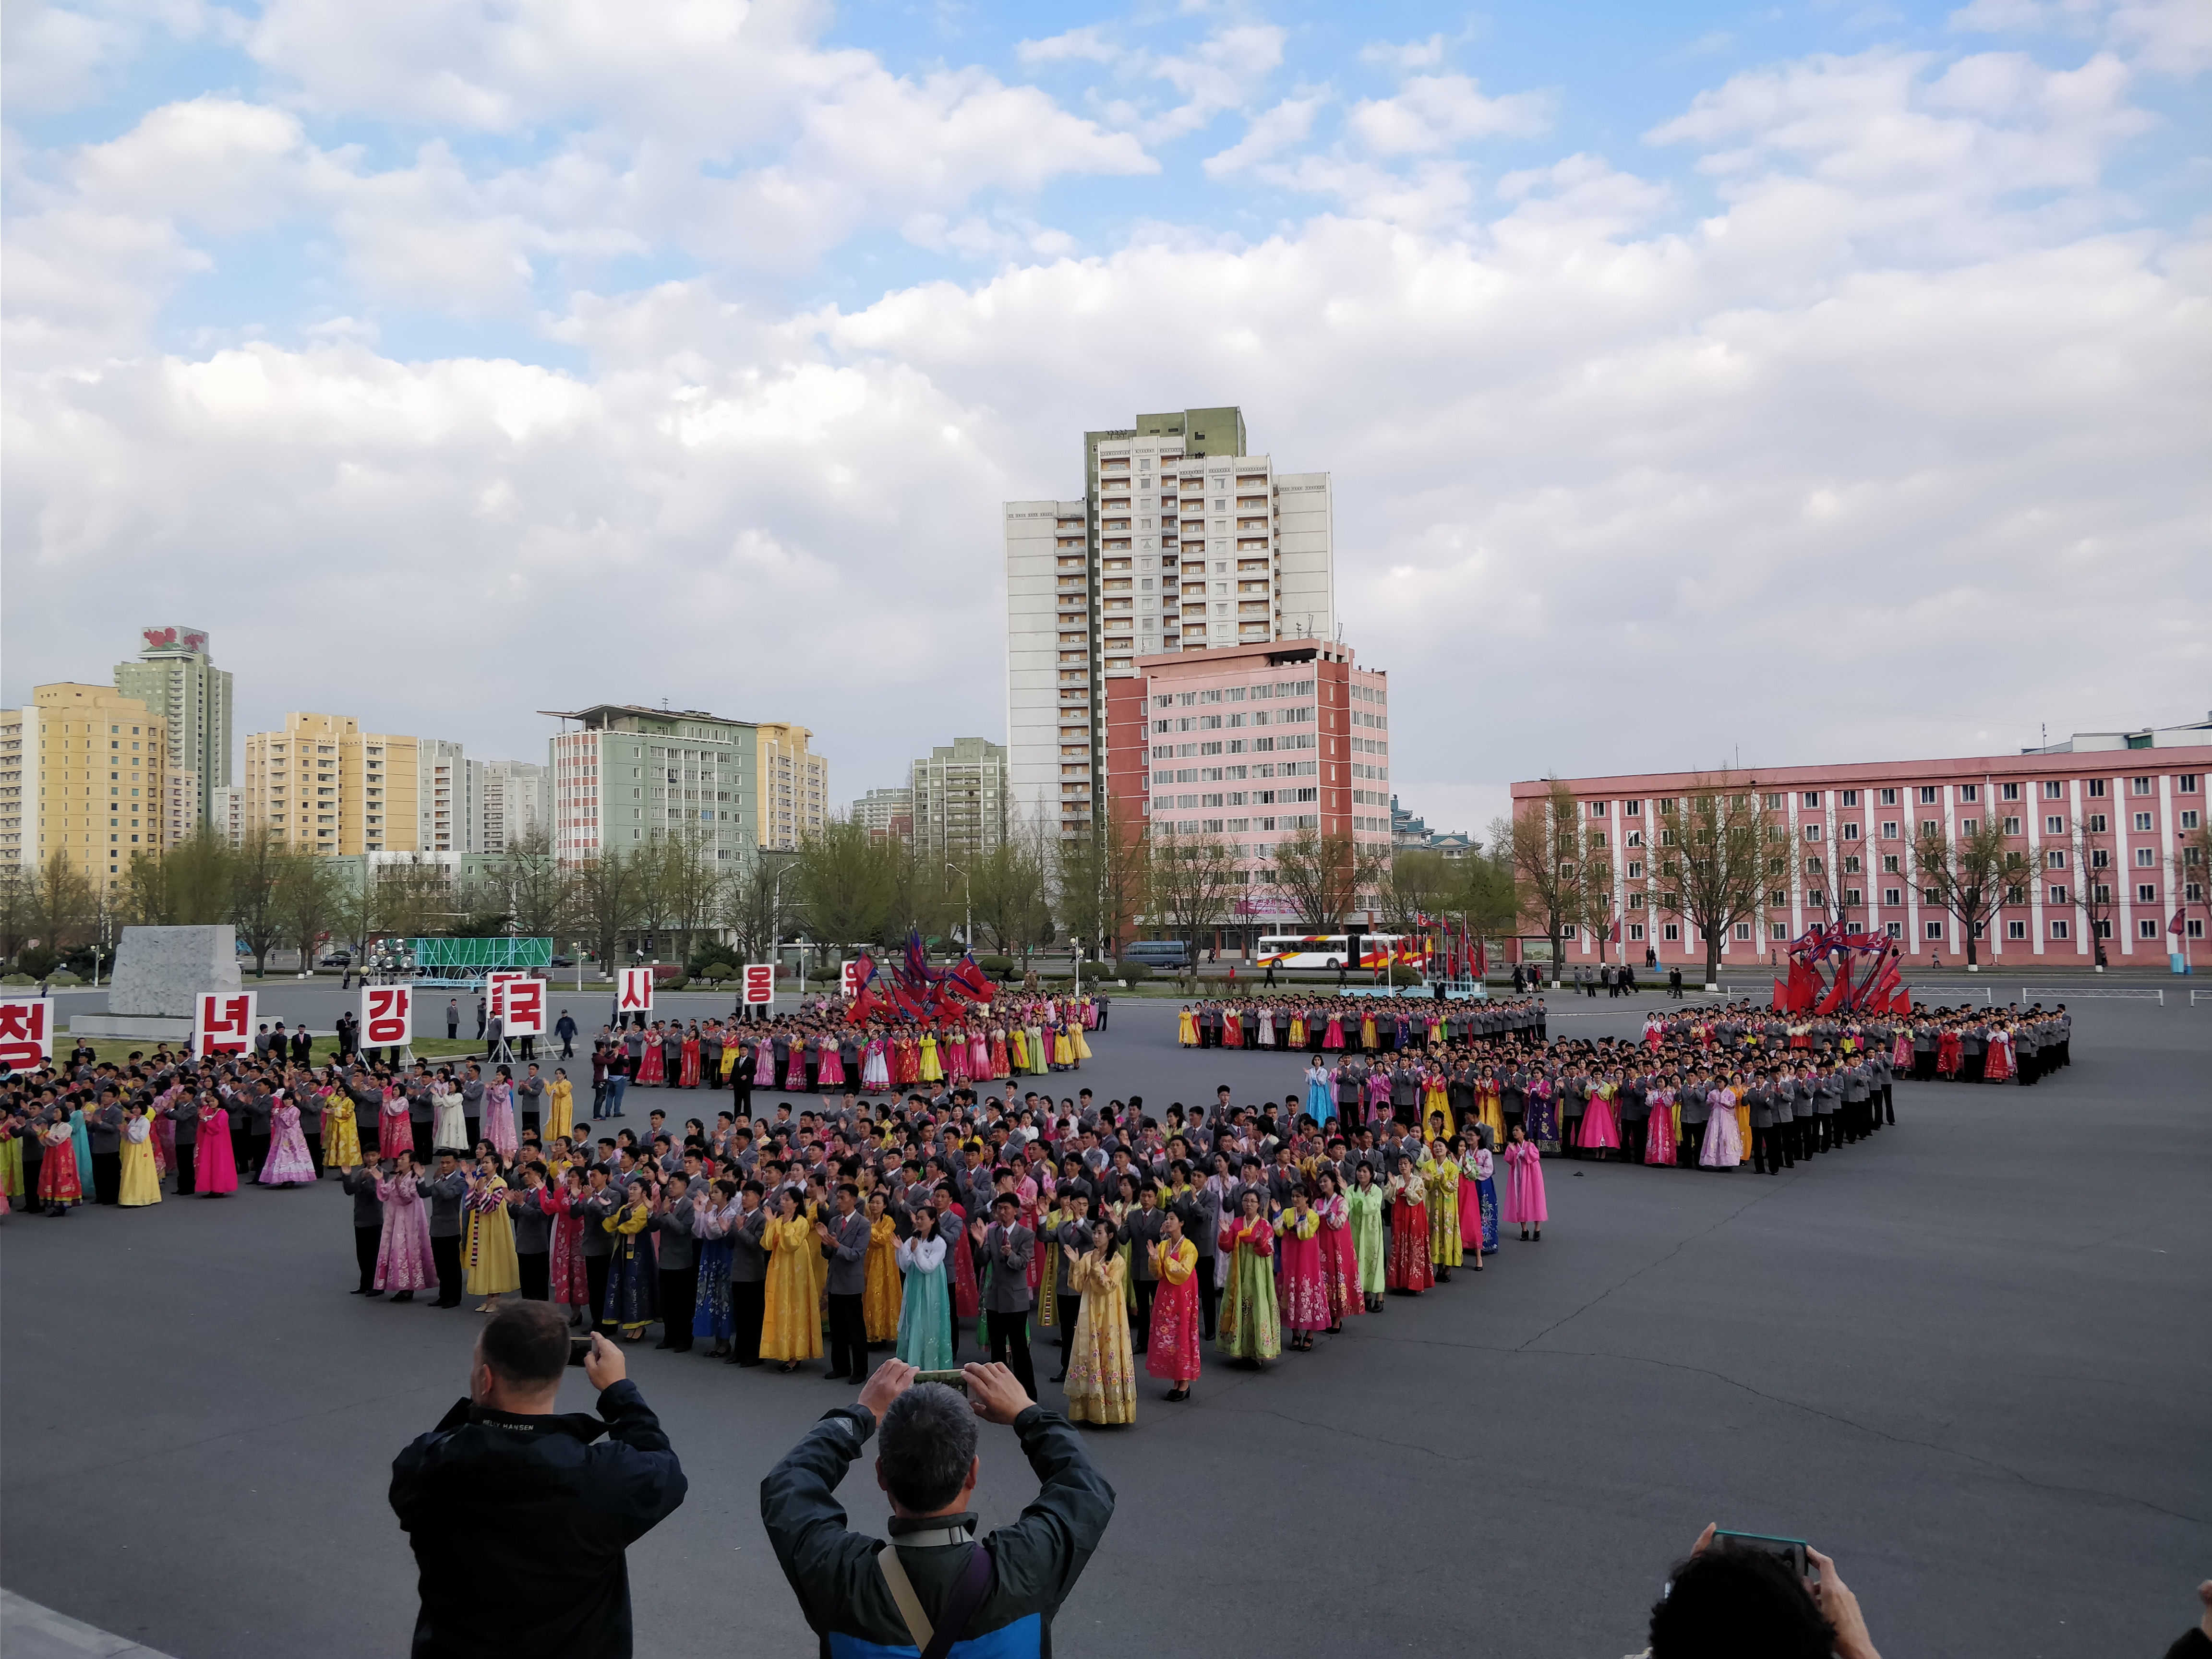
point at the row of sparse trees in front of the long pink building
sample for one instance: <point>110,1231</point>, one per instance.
<point>1715,859</point>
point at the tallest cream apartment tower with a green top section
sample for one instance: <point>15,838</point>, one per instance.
<point>1180,543</point>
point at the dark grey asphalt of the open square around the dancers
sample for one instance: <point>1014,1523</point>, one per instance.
<point>1970,1359</point>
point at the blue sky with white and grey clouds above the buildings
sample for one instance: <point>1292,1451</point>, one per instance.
<point>1700,384</point>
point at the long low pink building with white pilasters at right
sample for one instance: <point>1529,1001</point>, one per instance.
<point>2127,804</point>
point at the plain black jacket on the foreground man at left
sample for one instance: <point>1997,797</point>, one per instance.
<point>521,1527</point>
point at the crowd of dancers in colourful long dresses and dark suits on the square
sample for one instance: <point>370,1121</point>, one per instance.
<point>932,1215</point>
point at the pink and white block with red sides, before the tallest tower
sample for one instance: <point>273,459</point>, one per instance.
<point>1251,744</point>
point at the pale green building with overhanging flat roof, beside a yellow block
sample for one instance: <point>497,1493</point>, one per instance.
<point>629,775</point>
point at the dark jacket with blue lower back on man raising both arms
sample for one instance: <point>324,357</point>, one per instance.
<point>835,1572</point>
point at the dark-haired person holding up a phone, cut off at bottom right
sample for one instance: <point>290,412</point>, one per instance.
<point>1746,1598</point>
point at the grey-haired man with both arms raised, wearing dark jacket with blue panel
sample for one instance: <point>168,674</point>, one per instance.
<point>935,1585</point>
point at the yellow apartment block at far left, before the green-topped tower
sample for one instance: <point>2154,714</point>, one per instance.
<point>98,764</point>
